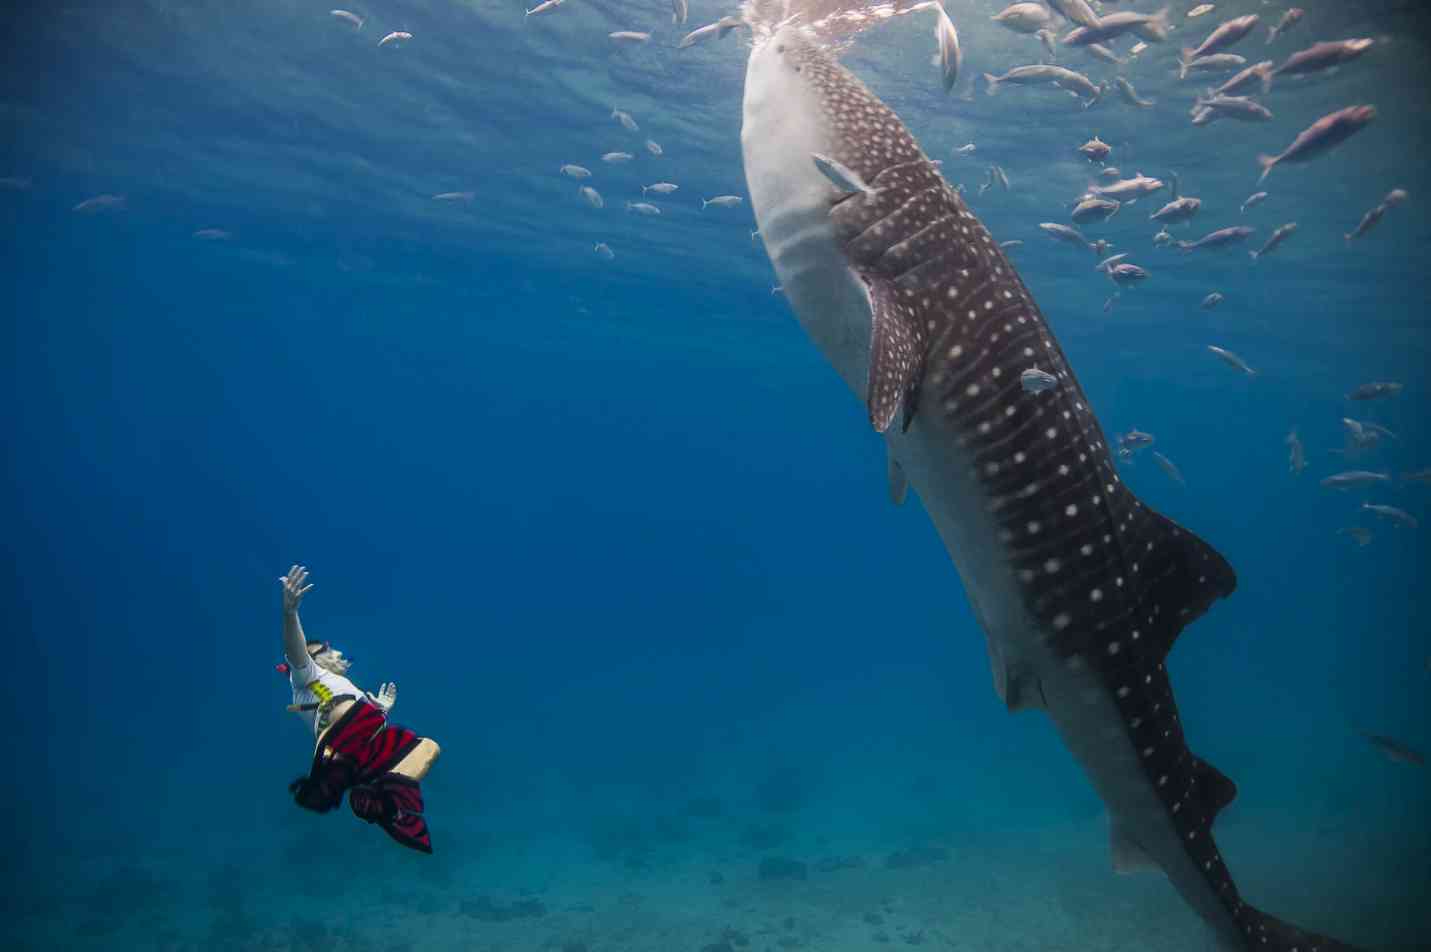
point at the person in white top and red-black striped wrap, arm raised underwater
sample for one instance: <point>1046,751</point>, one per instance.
<point>358,752</point>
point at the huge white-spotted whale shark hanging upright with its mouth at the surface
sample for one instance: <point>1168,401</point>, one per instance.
<point>1080,588</point>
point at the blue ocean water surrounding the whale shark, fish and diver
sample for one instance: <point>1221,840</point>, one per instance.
<point>616,529</point>
